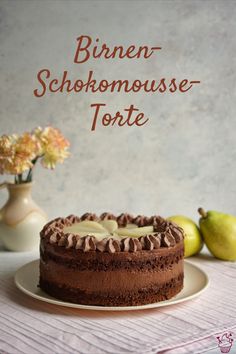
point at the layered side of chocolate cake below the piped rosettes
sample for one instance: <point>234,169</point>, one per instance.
<point>136,278</point>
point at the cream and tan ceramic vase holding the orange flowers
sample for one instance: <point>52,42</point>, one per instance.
<point>21,219</point>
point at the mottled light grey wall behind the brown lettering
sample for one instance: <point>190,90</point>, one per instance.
<point>183,158</point>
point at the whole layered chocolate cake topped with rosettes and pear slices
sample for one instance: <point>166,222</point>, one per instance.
<point>111,261</point>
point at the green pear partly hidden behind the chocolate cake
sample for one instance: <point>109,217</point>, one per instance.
<point>192,240</point>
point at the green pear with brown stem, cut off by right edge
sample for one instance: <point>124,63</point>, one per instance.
<point>219,233</point>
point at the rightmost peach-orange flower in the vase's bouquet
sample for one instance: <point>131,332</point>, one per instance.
<point>54,146</point>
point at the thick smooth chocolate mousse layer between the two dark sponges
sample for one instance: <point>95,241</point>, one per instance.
<point>91,281</point>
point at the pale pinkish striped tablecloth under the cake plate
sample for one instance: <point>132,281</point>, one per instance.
<point>30,326</point>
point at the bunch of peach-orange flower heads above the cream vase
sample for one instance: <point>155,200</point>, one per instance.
<point>19,153</point>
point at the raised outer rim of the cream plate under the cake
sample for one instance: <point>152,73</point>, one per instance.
<point>58,302</point>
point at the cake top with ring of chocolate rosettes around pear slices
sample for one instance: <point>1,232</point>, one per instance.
<point>109,233</point>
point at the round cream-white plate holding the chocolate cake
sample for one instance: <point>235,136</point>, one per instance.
<point>195,282</point>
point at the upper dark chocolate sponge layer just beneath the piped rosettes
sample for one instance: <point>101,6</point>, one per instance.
<point>77,259</point>
